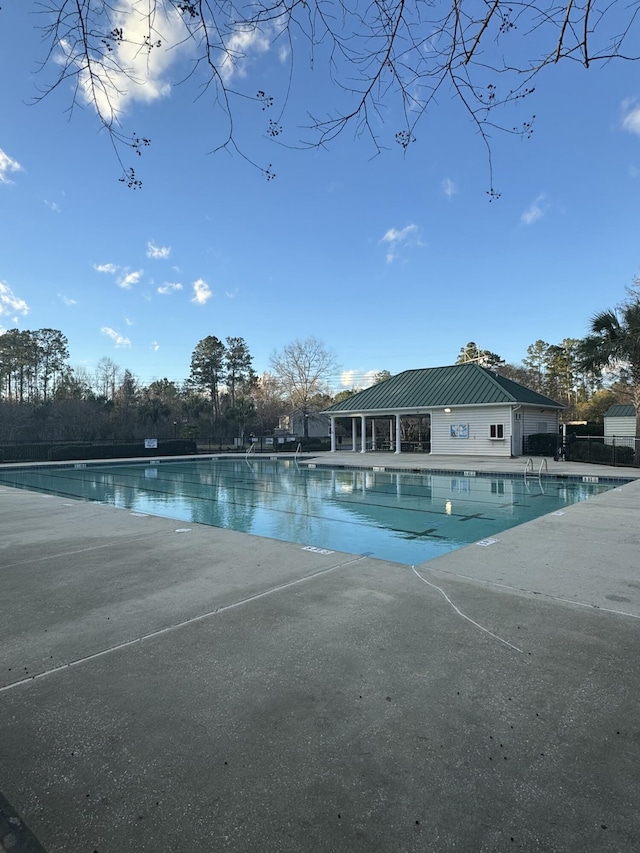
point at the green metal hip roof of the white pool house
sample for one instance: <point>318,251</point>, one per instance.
<point>430,387</point>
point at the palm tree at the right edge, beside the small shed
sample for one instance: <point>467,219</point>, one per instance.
<point>614,342</point>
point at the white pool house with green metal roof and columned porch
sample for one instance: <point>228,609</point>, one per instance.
<point>459,410</point>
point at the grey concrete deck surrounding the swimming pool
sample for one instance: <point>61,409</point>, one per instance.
<point>169,686</point>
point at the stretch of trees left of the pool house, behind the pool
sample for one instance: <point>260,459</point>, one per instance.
<point>42,397</point>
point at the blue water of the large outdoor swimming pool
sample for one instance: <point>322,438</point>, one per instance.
<point>403,517</point>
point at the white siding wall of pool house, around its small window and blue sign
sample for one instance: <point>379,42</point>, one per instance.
<point>479,420</point>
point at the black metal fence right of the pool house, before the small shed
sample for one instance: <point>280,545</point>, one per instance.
<point>619,451</point>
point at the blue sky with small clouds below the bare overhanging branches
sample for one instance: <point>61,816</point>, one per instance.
<point>393,261</point>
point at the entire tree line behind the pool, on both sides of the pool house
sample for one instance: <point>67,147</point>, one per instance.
<point>42,397</point>
